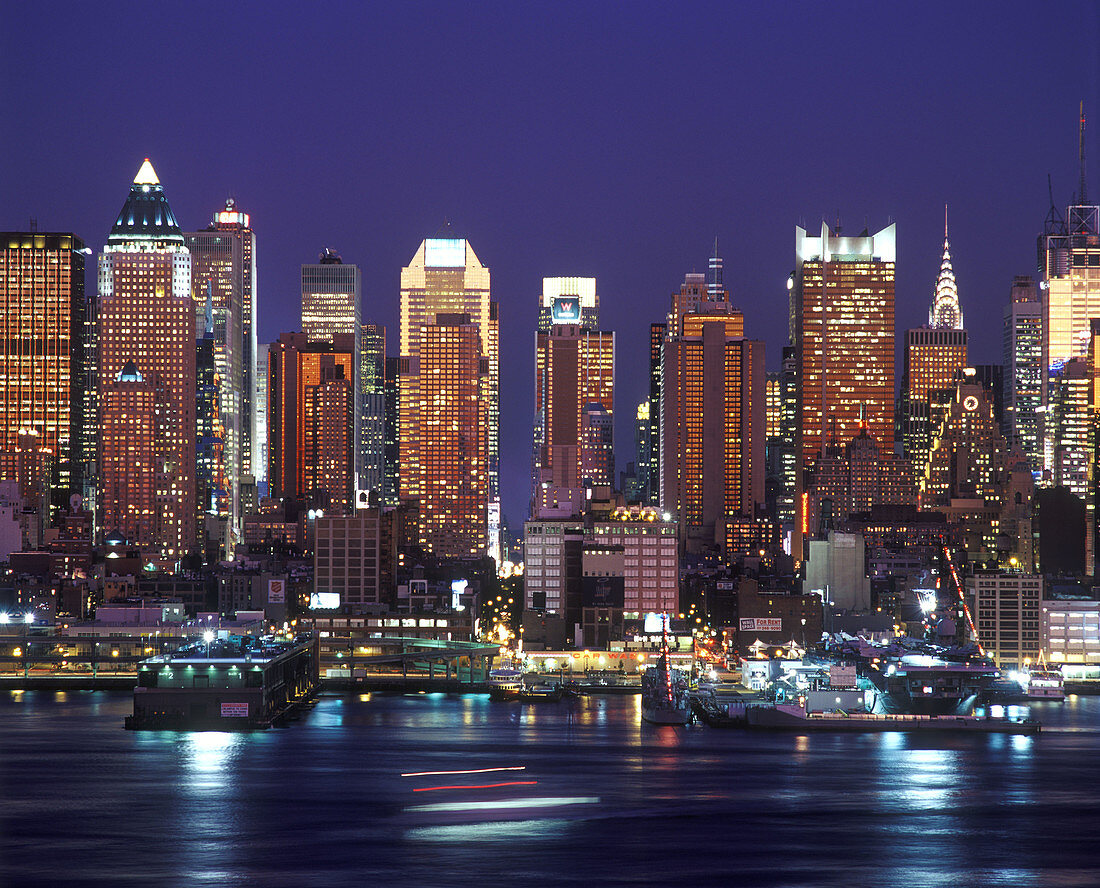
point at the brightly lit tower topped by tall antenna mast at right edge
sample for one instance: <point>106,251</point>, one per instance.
<point>1070,269</point>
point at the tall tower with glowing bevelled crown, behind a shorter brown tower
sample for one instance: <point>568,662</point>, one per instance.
<point>446,278</point>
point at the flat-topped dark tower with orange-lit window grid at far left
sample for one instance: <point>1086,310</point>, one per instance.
<point>43,361</point>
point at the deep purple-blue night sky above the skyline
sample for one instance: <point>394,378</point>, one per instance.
<point>613,140</point>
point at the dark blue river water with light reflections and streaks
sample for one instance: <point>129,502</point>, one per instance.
<point>617,804</point>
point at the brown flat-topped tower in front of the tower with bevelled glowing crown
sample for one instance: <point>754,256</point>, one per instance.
<point>449,446</point>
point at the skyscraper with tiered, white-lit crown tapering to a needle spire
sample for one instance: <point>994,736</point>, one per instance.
<point>934,357</point>
